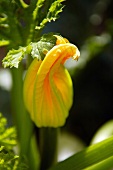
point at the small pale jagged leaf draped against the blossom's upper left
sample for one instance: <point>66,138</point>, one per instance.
<point>36,49</point>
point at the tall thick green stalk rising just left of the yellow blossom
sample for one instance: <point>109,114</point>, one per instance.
<point>21,117</point>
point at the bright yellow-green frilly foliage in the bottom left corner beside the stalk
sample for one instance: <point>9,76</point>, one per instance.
<point>8,139</point>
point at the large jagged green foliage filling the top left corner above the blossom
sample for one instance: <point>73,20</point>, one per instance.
<point>21,23</point>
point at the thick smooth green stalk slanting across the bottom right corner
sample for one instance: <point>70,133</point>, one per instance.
<point>100,154</point>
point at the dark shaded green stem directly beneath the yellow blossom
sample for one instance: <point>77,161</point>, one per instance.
<point>48,147</point>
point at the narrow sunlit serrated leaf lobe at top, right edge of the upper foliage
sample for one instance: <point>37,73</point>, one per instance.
<point>53,13</point>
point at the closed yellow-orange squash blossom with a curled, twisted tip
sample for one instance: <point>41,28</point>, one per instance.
<point>48,90</point>
